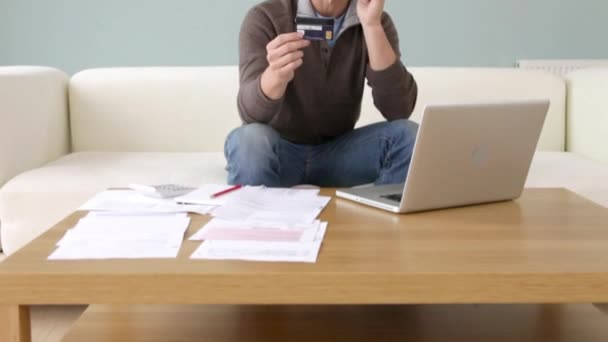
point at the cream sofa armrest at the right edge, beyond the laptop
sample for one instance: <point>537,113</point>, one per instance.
<point>587,132</point>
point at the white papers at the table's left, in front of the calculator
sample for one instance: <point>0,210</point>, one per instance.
<point>122,236</point>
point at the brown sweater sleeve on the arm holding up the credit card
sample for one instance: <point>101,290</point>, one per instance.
<point>253,105</point>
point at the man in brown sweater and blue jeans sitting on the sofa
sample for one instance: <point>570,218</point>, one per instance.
<point>300,99</point>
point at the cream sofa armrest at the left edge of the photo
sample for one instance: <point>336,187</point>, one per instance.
<point>33,118</point>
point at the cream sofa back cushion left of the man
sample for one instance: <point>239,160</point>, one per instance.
<point>153,109</point>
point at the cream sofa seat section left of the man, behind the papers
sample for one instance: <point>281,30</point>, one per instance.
<point>36,200</point>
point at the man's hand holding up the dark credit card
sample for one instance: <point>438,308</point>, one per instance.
<point>284,56</point>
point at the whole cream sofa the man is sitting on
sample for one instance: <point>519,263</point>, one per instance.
<point>62,140</point>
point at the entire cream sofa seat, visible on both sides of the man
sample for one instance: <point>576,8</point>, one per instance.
<point>36,200</point>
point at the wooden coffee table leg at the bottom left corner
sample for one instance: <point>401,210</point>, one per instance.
<point>15,323</point>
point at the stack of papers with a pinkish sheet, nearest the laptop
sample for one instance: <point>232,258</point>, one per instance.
<point>262,224</point>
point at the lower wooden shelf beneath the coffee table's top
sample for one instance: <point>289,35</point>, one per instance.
<point>434,323</point>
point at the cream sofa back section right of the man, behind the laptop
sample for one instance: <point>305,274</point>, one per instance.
<point>480,85</point>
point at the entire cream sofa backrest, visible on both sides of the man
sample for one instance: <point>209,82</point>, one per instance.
<point>193,109</point>
